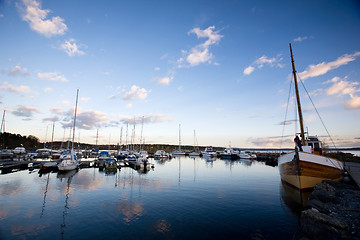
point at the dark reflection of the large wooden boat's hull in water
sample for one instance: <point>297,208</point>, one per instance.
<point>294,199</point>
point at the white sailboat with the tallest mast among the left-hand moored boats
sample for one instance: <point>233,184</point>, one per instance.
<point>68,158</point>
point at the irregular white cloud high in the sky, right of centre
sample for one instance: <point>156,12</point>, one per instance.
<point>201,52</point>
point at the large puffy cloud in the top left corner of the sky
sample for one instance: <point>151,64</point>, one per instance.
<point>36,17</point>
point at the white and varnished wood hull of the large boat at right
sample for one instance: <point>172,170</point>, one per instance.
<point>312,169</point>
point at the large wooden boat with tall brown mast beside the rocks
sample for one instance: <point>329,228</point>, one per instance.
<point>305,167</point>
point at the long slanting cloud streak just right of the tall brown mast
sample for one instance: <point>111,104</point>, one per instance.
<point>323,68</point>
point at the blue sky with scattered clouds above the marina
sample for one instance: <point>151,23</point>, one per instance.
<point>217,72</point>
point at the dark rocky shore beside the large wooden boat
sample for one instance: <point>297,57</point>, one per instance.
<point>332,212</point>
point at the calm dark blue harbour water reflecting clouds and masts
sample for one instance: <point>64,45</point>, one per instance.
<point>182,198</point>
